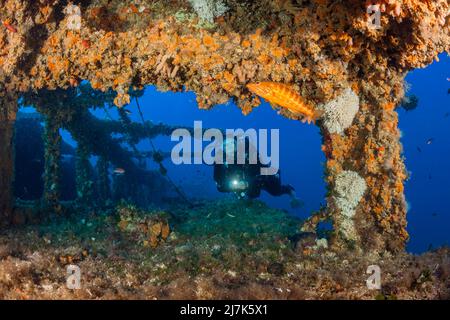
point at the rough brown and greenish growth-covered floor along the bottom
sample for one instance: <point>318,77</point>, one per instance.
<point>215,250</point>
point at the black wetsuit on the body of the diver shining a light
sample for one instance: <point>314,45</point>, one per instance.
<point>248,180</point>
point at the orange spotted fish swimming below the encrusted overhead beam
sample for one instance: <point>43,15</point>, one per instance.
<point>284,96</point>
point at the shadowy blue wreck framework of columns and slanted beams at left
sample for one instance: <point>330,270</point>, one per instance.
<point>75,146</point>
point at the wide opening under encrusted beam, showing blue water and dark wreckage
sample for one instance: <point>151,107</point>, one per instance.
<point>73,143</point>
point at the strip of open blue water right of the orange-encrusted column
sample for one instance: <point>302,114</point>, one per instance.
<point>428,190</point>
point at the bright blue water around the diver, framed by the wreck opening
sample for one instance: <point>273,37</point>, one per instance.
<point>301,158</point>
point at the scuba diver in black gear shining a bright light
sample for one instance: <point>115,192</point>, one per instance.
<point>246,180</point>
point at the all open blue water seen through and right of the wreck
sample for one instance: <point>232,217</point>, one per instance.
<point>301,160</point>
